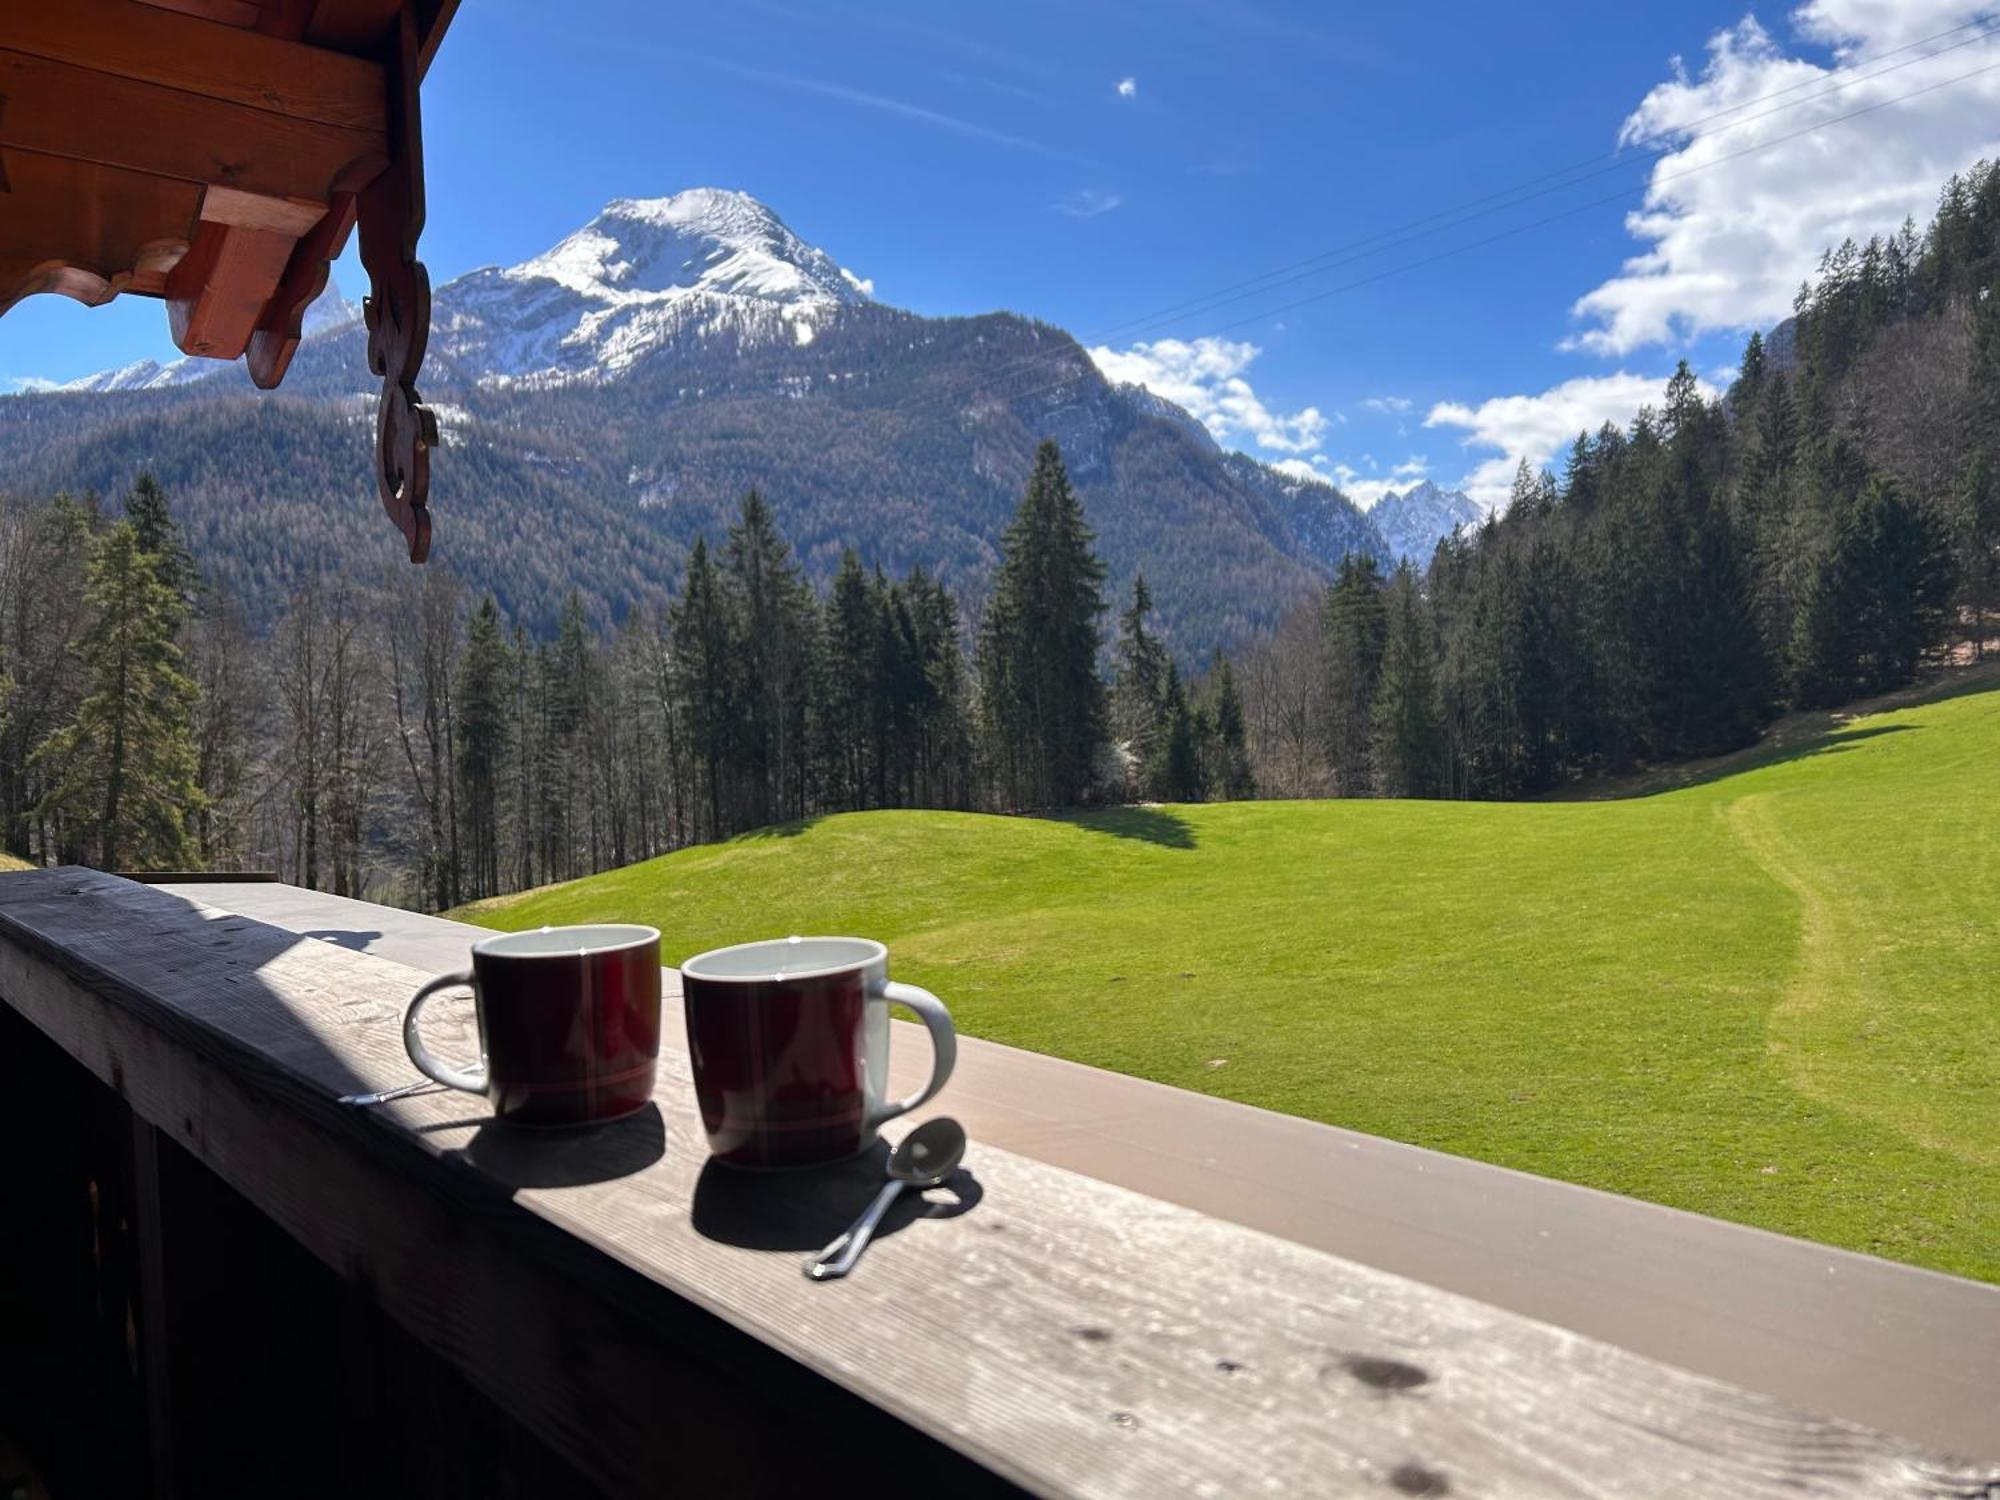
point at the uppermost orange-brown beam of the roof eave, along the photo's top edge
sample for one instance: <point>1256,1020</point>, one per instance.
<point>201,57</point>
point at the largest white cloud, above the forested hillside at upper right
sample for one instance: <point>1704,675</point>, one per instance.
<point>1731,235</point>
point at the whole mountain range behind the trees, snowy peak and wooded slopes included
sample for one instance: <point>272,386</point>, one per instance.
<point>611,399</point>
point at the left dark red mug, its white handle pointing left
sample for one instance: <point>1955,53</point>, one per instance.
<point>569,1023</point>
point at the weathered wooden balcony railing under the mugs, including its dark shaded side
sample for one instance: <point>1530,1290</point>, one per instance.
<point>289,1297</point>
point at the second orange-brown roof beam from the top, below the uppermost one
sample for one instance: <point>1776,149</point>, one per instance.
<point>93,117</point>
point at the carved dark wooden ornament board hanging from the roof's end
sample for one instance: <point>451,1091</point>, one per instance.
<point>391,213</point>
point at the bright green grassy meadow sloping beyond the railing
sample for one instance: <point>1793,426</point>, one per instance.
<point>1765,997</point>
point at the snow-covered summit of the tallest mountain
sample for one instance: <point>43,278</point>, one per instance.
<point>643,273</point>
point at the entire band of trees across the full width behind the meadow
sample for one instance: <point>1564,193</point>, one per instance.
<point>1815,535</point>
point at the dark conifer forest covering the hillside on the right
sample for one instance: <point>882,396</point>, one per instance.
<point>1817,535</point>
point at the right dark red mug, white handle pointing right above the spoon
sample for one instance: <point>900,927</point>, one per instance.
<point>791,1047</point>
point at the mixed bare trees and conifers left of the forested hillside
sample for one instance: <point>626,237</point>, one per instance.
<point>409,743</point>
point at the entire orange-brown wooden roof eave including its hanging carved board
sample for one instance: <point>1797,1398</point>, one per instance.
<point>217,155</point>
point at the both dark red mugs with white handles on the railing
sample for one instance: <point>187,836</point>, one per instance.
<point>789,1039</point>
